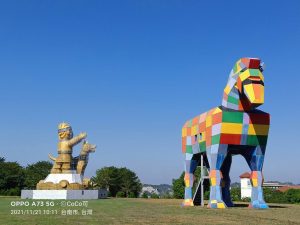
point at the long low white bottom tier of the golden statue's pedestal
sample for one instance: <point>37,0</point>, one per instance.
<point>63,194</point>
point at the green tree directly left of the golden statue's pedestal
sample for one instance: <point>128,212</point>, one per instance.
<point>36,172</point>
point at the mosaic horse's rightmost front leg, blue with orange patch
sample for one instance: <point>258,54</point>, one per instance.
<point>255,159</point>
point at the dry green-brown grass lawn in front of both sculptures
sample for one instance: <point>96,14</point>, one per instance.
<point>144,211</point>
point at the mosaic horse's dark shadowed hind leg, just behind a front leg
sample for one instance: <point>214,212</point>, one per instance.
<point>225,183</point>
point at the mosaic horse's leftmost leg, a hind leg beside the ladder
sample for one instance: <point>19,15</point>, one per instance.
<point>190,167</point>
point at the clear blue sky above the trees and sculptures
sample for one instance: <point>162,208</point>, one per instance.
<point>130,73</point>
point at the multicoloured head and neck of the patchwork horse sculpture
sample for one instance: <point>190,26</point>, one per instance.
<point>245,87</point>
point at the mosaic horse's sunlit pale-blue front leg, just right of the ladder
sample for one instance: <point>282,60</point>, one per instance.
<point>216,155</point>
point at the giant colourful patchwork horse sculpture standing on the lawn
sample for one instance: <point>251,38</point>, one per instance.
<point>236,127</point>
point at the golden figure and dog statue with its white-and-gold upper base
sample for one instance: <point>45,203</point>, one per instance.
<point>68,171</point>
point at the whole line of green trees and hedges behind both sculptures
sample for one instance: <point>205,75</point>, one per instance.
<point>119,182</point>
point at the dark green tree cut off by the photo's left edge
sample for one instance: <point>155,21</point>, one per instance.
<point>11,178</point>
